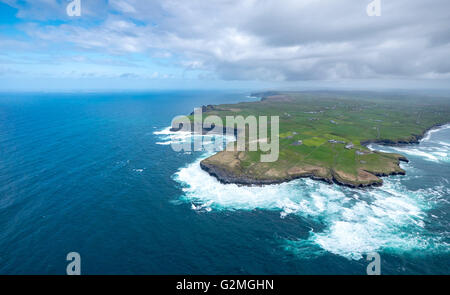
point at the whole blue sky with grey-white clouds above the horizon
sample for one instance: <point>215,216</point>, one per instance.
<point>239,44</point>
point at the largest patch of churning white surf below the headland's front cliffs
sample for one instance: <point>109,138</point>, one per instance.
<point>391,219</point>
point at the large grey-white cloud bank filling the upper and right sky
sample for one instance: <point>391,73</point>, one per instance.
<point>267,40</point>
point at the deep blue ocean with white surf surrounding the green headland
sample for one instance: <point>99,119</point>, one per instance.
<point>94,173</point>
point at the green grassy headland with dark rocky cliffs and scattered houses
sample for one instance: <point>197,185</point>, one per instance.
<point>324,136</point>
